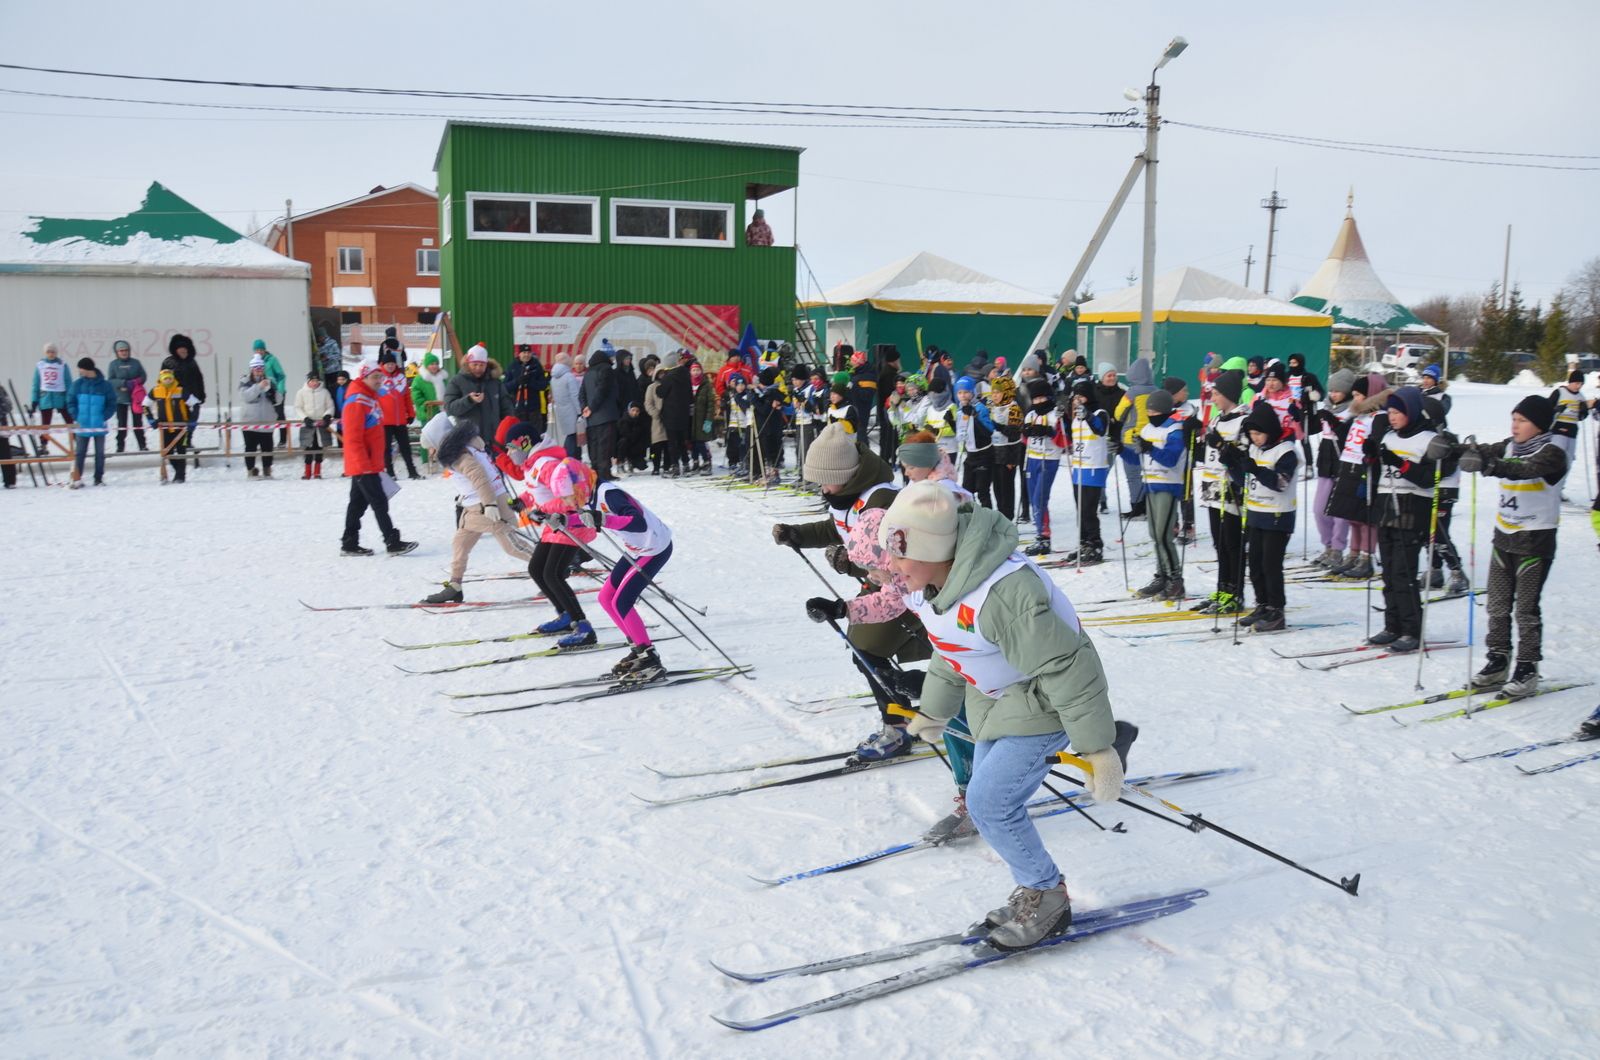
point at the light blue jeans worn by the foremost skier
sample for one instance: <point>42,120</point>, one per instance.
<point>1006,776</point>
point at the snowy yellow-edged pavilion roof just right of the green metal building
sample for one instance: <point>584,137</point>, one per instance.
<point>932,284</point>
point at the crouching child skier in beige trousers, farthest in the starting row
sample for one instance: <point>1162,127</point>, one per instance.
<point>484,505</point>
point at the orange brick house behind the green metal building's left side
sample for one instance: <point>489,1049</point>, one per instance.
<point>375,260</point>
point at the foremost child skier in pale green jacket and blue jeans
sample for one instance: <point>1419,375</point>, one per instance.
<point>1015,657</point>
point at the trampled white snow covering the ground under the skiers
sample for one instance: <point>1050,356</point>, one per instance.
<point>231,827</point>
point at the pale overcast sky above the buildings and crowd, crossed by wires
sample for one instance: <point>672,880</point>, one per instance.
<point>1018,204</point>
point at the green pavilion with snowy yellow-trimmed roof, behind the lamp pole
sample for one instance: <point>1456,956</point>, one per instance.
<point>1196,315</point>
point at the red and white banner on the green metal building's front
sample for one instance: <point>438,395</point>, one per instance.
<point>644,329</point>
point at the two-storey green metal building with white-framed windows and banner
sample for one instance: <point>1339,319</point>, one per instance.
<point>561,238</point>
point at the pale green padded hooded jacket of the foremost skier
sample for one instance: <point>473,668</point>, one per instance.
<point>1066,685</point>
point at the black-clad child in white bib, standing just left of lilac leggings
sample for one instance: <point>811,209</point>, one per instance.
<point>1265,475</point>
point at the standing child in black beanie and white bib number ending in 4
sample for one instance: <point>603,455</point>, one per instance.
<point>1530,465</point>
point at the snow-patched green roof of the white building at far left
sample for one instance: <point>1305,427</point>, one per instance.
<point>167,235</point>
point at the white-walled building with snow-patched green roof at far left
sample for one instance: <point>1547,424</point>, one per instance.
<point>166,268</point>
